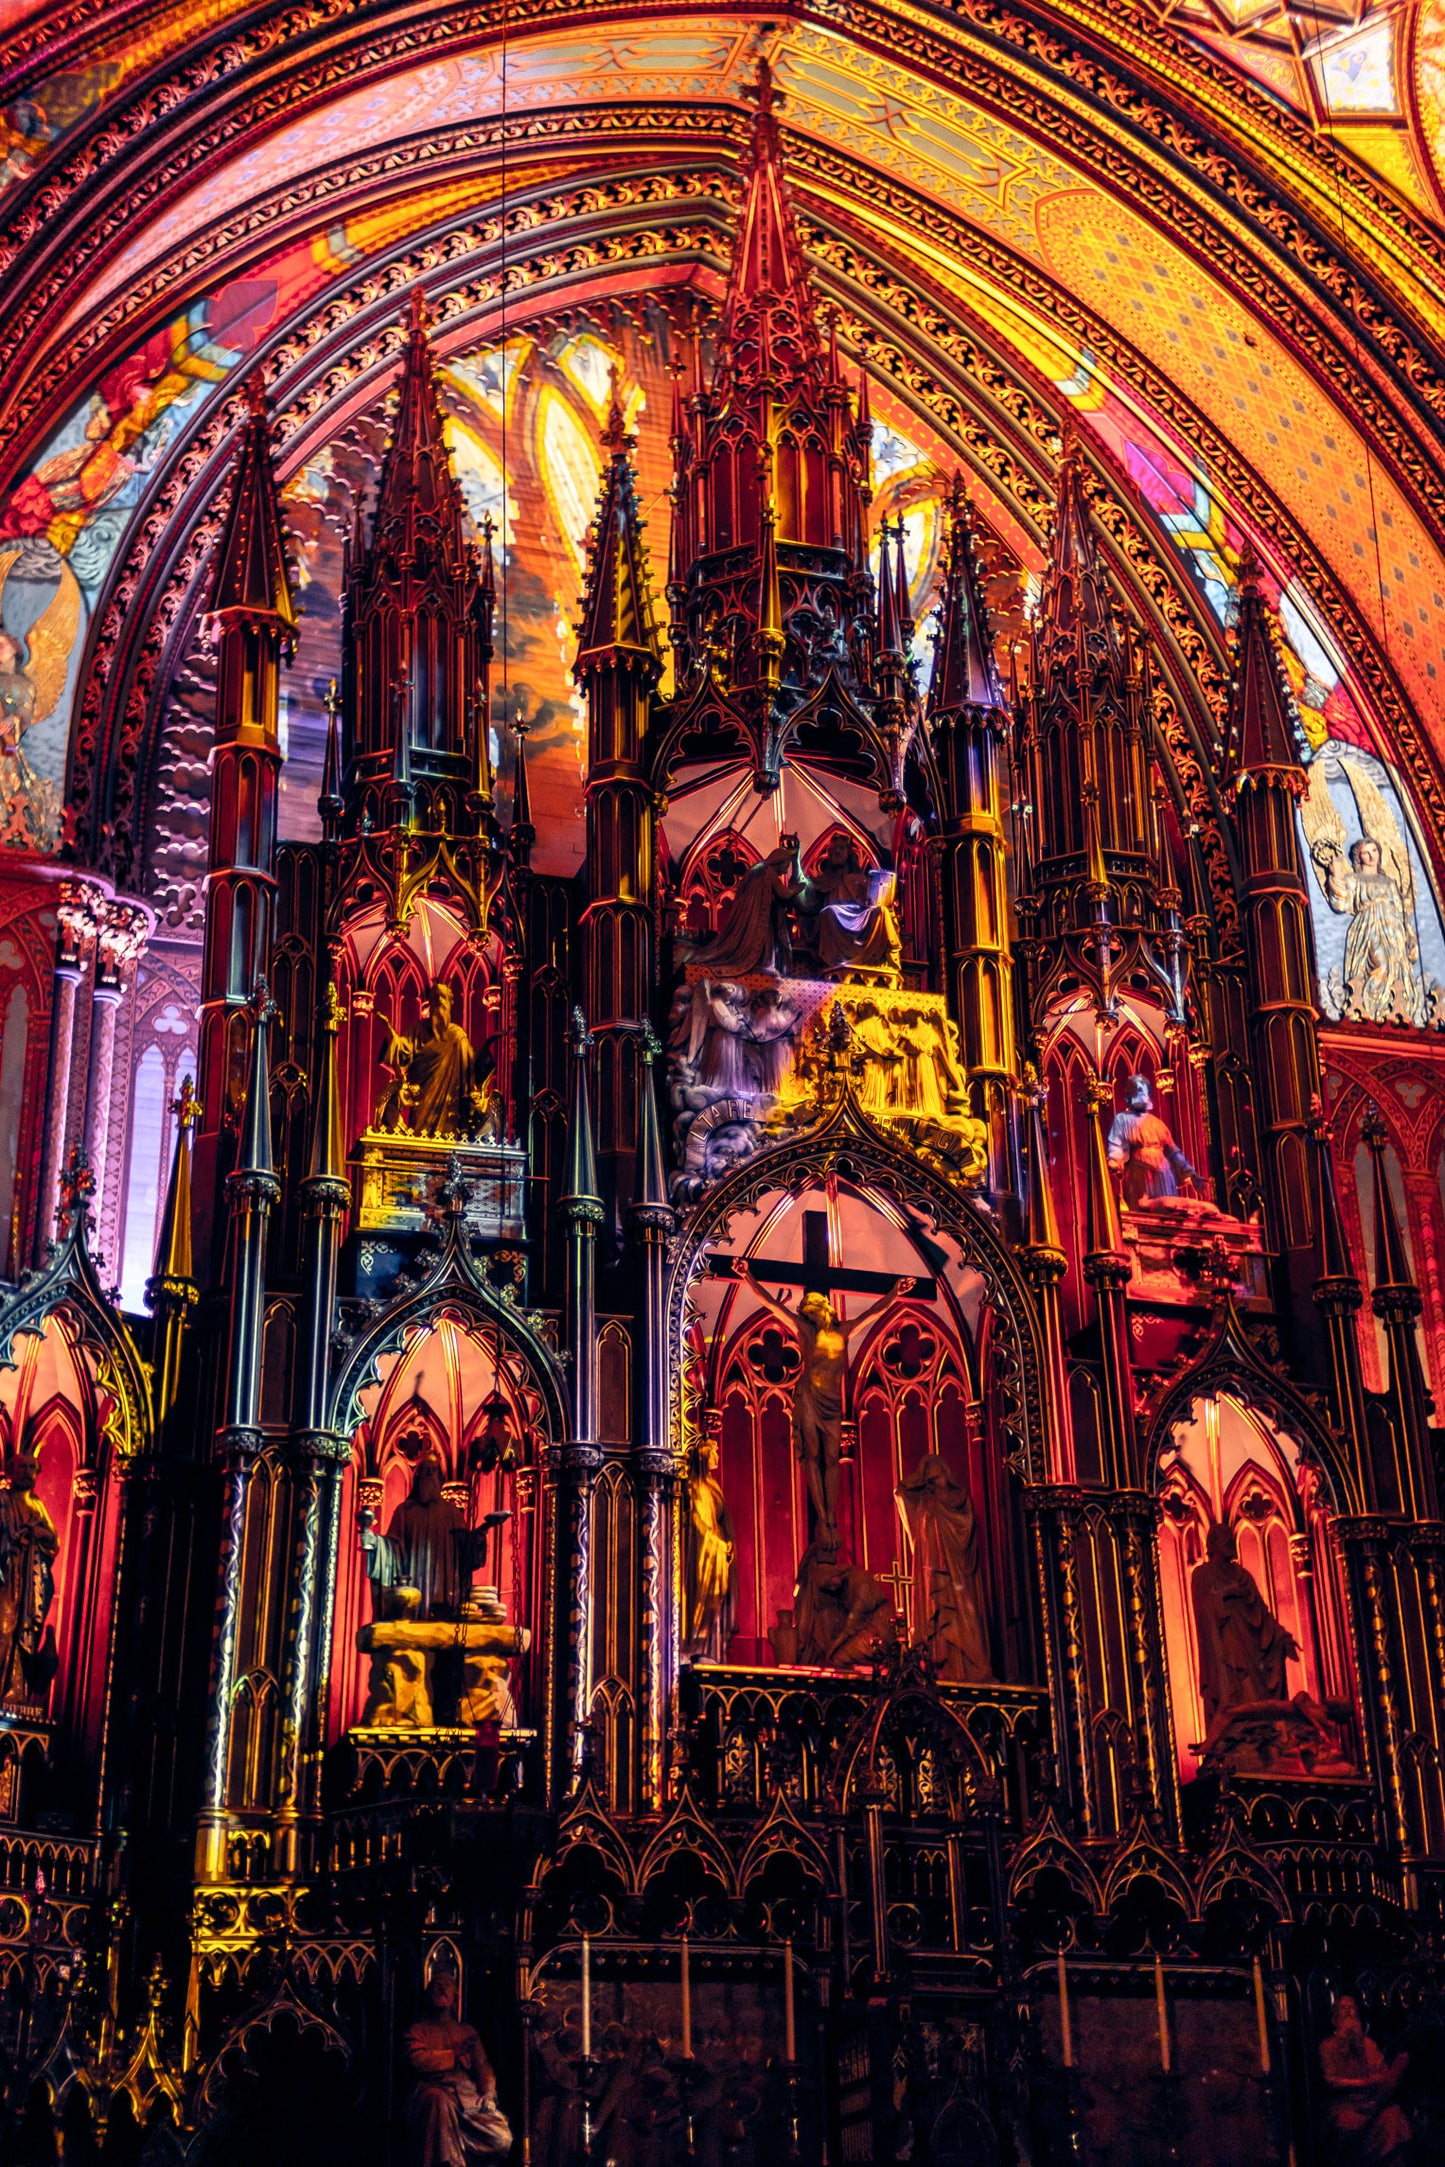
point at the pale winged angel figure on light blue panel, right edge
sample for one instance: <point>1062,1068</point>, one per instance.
<point>1372,885</point>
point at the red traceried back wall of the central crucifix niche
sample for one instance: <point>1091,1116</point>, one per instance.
<point>917,1384</point>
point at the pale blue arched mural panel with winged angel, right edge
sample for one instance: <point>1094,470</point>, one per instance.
<point>1368,877</point>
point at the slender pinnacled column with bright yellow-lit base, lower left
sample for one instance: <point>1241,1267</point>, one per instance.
<point>252,1195</point>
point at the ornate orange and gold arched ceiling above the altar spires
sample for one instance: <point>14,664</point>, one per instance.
<point>1028,220</point>
